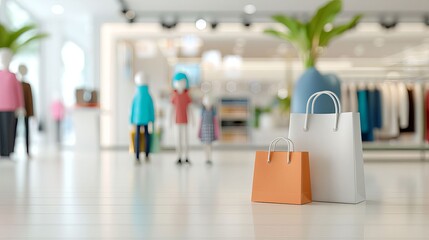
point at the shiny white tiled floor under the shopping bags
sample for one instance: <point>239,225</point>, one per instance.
<point>72,195</point>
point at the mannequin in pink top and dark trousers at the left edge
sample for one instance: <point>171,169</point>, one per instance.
<point>11,103</point>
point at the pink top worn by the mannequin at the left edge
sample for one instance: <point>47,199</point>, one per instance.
<point>11,96</point>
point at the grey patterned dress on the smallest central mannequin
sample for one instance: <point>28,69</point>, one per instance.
<point>209,128</point>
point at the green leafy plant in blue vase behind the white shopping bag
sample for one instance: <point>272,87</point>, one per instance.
<point>310,38</point>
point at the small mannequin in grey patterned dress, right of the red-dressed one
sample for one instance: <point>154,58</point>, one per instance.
<point>209,128</point>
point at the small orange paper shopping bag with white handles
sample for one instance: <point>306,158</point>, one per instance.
<point>281,177</point>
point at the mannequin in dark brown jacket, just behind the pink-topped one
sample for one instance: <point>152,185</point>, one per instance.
<point>28,104</point>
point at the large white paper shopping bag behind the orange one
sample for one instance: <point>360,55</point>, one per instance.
<point>335,149</point>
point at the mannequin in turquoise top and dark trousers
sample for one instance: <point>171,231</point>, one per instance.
<point>142,114</point>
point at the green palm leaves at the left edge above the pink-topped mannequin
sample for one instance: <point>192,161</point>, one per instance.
<point>16,40</point>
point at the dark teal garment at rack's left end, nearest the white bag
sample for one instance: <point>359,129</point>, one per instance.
<point>365,111</point>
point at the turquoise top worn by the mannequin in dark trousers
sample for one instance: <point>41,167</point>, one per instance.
<point>142,110</point>
